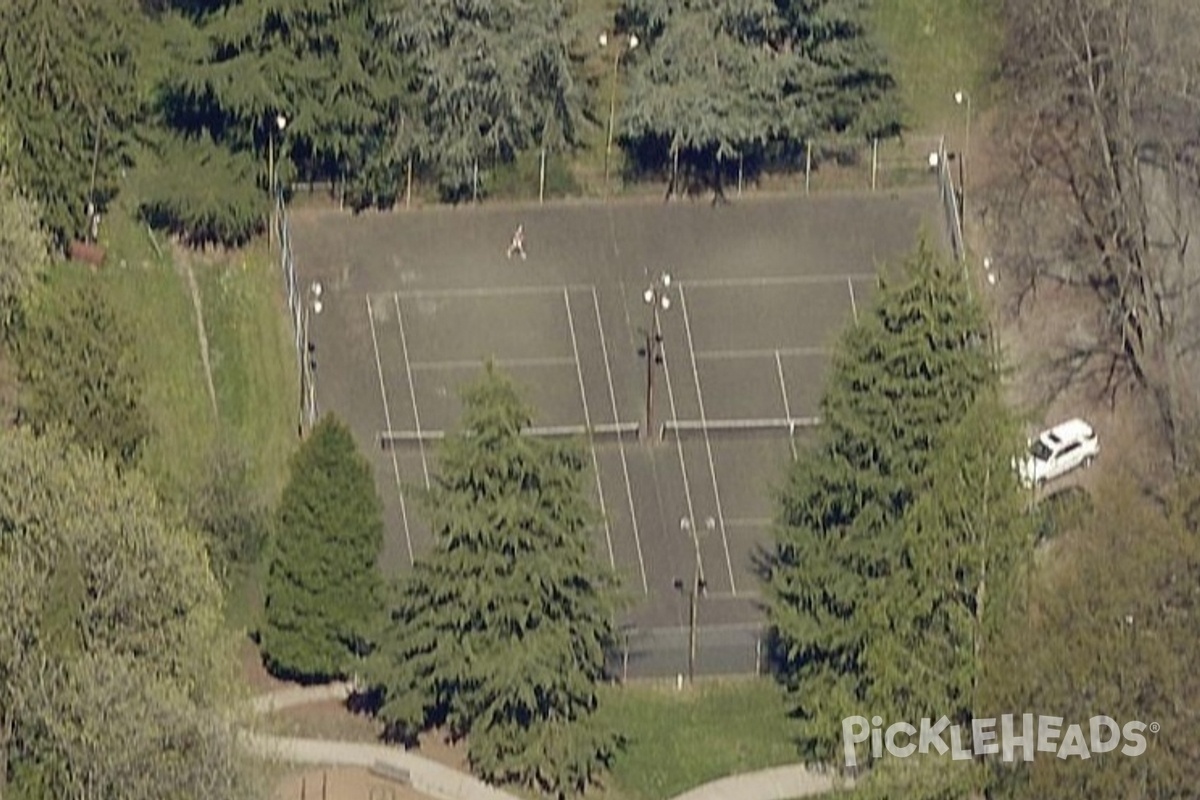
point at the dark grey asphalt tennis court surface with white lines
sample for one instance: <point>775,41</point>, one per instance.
<point>746,339</point>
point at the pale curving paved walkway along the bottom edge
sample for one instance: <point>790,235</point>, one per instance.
<point>447,784</point>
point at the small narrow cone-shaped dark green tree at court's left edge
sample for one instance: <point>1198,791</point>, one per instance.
<point>323,582</point>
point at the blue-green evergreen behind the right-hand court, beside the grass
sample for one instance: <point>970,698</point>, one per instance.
<point>716,81</point>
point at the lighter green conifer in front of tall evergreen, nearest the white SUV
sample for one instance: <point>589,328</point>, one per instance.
<point>968,548</point>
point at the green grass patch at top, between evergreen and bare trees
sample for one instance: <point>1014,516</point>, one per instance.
<point>935,49</point>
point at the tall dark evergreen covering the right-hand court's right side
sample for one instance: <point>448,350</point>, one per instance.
<point>902,378</point>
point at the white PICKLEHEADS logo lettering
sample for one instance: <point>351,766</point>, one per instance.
<point>989,737</point>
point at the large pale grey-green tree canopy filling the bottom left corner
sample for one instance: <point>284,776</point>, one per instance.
<point>115,659</point>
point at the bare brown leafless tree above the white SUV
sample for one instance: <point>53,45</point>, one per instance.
<point>1102,187</point>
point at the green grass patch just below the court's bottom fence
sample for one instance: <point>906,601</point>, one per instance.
<point>682,739</point>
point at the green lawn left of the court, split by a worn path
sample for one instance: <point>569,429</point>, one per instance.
<point>250,354</point>
